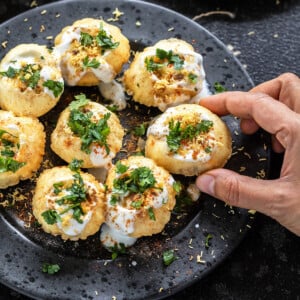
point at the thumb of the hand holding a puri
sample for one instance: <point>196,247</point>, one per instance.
<point>238,190</point>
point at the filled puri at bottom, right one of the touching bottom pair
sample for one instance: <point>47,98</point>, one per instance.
<point>140,197</point>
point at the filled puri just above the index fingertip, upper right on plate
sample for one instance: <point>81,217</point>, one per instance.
<point>166,74</point>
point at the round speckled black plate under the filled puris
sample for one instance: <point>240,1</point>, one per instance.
<point>87,272</point>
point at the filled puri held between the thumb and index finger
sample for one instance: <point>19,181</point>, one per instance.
<point>188,139</point>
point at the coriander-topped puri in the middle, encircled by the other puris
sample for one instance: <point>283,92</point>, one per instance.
<point>90,133</point>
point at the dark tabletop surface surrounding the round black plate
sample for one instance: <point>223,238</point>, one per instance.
<point>266,263</point>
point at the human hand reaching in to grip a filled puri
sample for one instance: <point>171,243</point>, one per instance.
<point>275,107</point>
